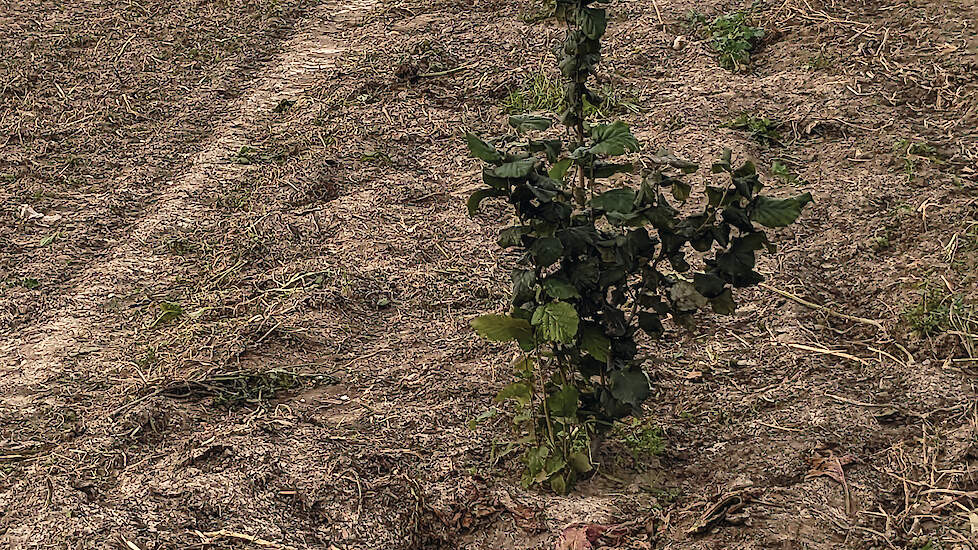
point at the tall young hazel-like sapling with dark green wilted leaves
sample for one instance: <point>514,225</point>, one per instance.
<point>603,257</point>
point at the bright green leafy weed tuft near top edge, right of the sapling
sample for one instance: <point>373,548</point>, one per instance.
<point>732,37</point>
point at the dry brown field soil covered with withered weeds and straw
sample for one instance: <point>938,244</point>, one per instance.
<point>236,275</point>
